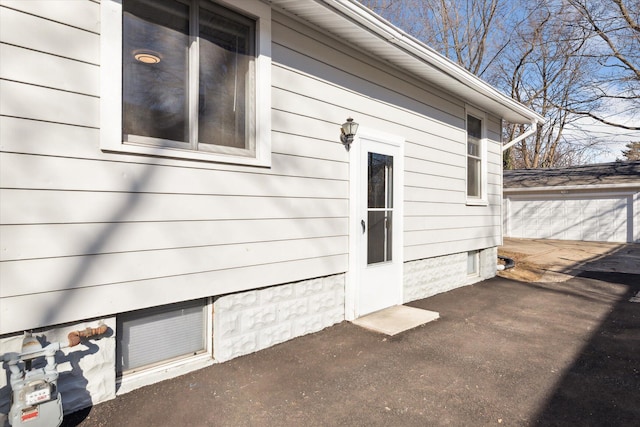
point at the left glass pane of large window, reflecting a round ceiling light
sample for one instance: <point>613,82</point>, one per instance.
<point>155,93</point>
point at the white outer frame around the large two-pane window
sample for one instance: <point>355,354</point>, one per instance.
<point>111,135</point>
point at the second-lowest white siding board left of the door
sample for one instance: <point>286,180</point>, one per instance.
<point>64,273</point>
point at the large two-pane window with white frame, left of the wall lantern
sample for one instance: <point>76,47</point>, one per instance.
<point>193,80</point>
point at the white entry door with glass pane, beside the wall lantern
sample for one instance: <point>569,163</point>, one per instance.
<point>377,222</point>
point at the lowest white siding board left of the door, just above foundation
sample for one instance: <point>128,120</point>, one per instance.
<point>90,302</point>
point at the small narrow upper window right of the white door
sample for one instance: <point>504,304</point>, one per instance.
<point>475,157</point>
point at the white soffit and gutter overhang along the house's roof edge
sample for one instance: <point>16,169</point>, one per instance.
<point>352,23</point>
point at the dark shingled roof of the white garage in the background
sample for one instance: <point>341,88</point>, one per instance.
<point>598,174</point>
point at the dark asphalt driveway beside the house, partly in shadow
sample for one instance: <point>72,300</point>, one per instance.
<point>503,352</point>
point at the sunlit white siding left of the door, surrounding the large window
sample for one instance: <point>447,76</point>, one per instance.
<point>87,233</point>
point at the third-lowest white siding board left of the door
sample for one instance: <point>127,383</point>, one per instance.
<point>78,239</point>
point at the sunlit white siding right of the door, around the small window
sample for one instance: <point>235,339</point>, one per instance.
<point>438,221</point>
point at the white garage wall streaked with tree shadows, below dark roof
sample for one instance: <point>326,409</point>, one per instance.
<point>595,218</point>
